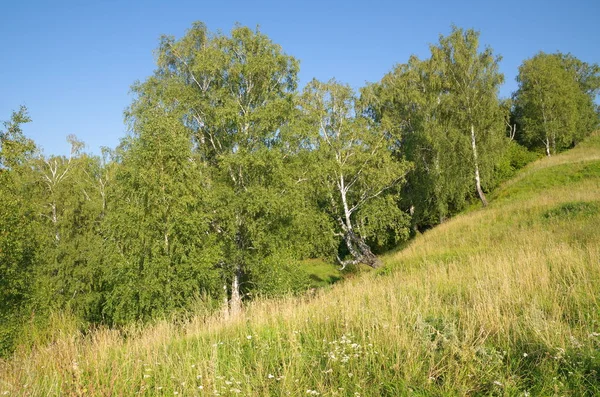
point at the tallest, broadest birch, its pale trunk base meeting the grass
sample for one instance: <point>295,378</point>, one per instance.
<point>234,95</point>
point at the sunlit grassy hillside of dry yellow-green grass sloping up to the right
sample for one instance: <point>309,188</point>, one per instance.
<point>497,301</point>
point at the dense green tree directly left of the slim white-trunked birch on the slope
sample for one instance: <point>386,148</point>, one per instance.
<point>406,104</point>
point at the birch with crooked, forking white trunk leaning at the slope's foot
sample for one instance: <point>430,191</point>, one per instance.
<point>354,169</point>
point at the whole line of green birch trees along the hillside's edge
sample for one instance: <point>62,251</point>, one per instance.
<point>231,175</point>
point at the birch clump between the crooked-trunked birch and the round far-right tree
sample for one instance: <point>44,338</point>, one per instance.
<point>445,115</point>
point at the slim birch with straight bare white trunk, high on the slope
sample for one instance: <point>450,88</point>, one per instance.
<point>469,83</point>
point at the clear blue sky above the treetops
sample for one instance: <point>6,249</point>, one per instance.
<point>72,62</point>
